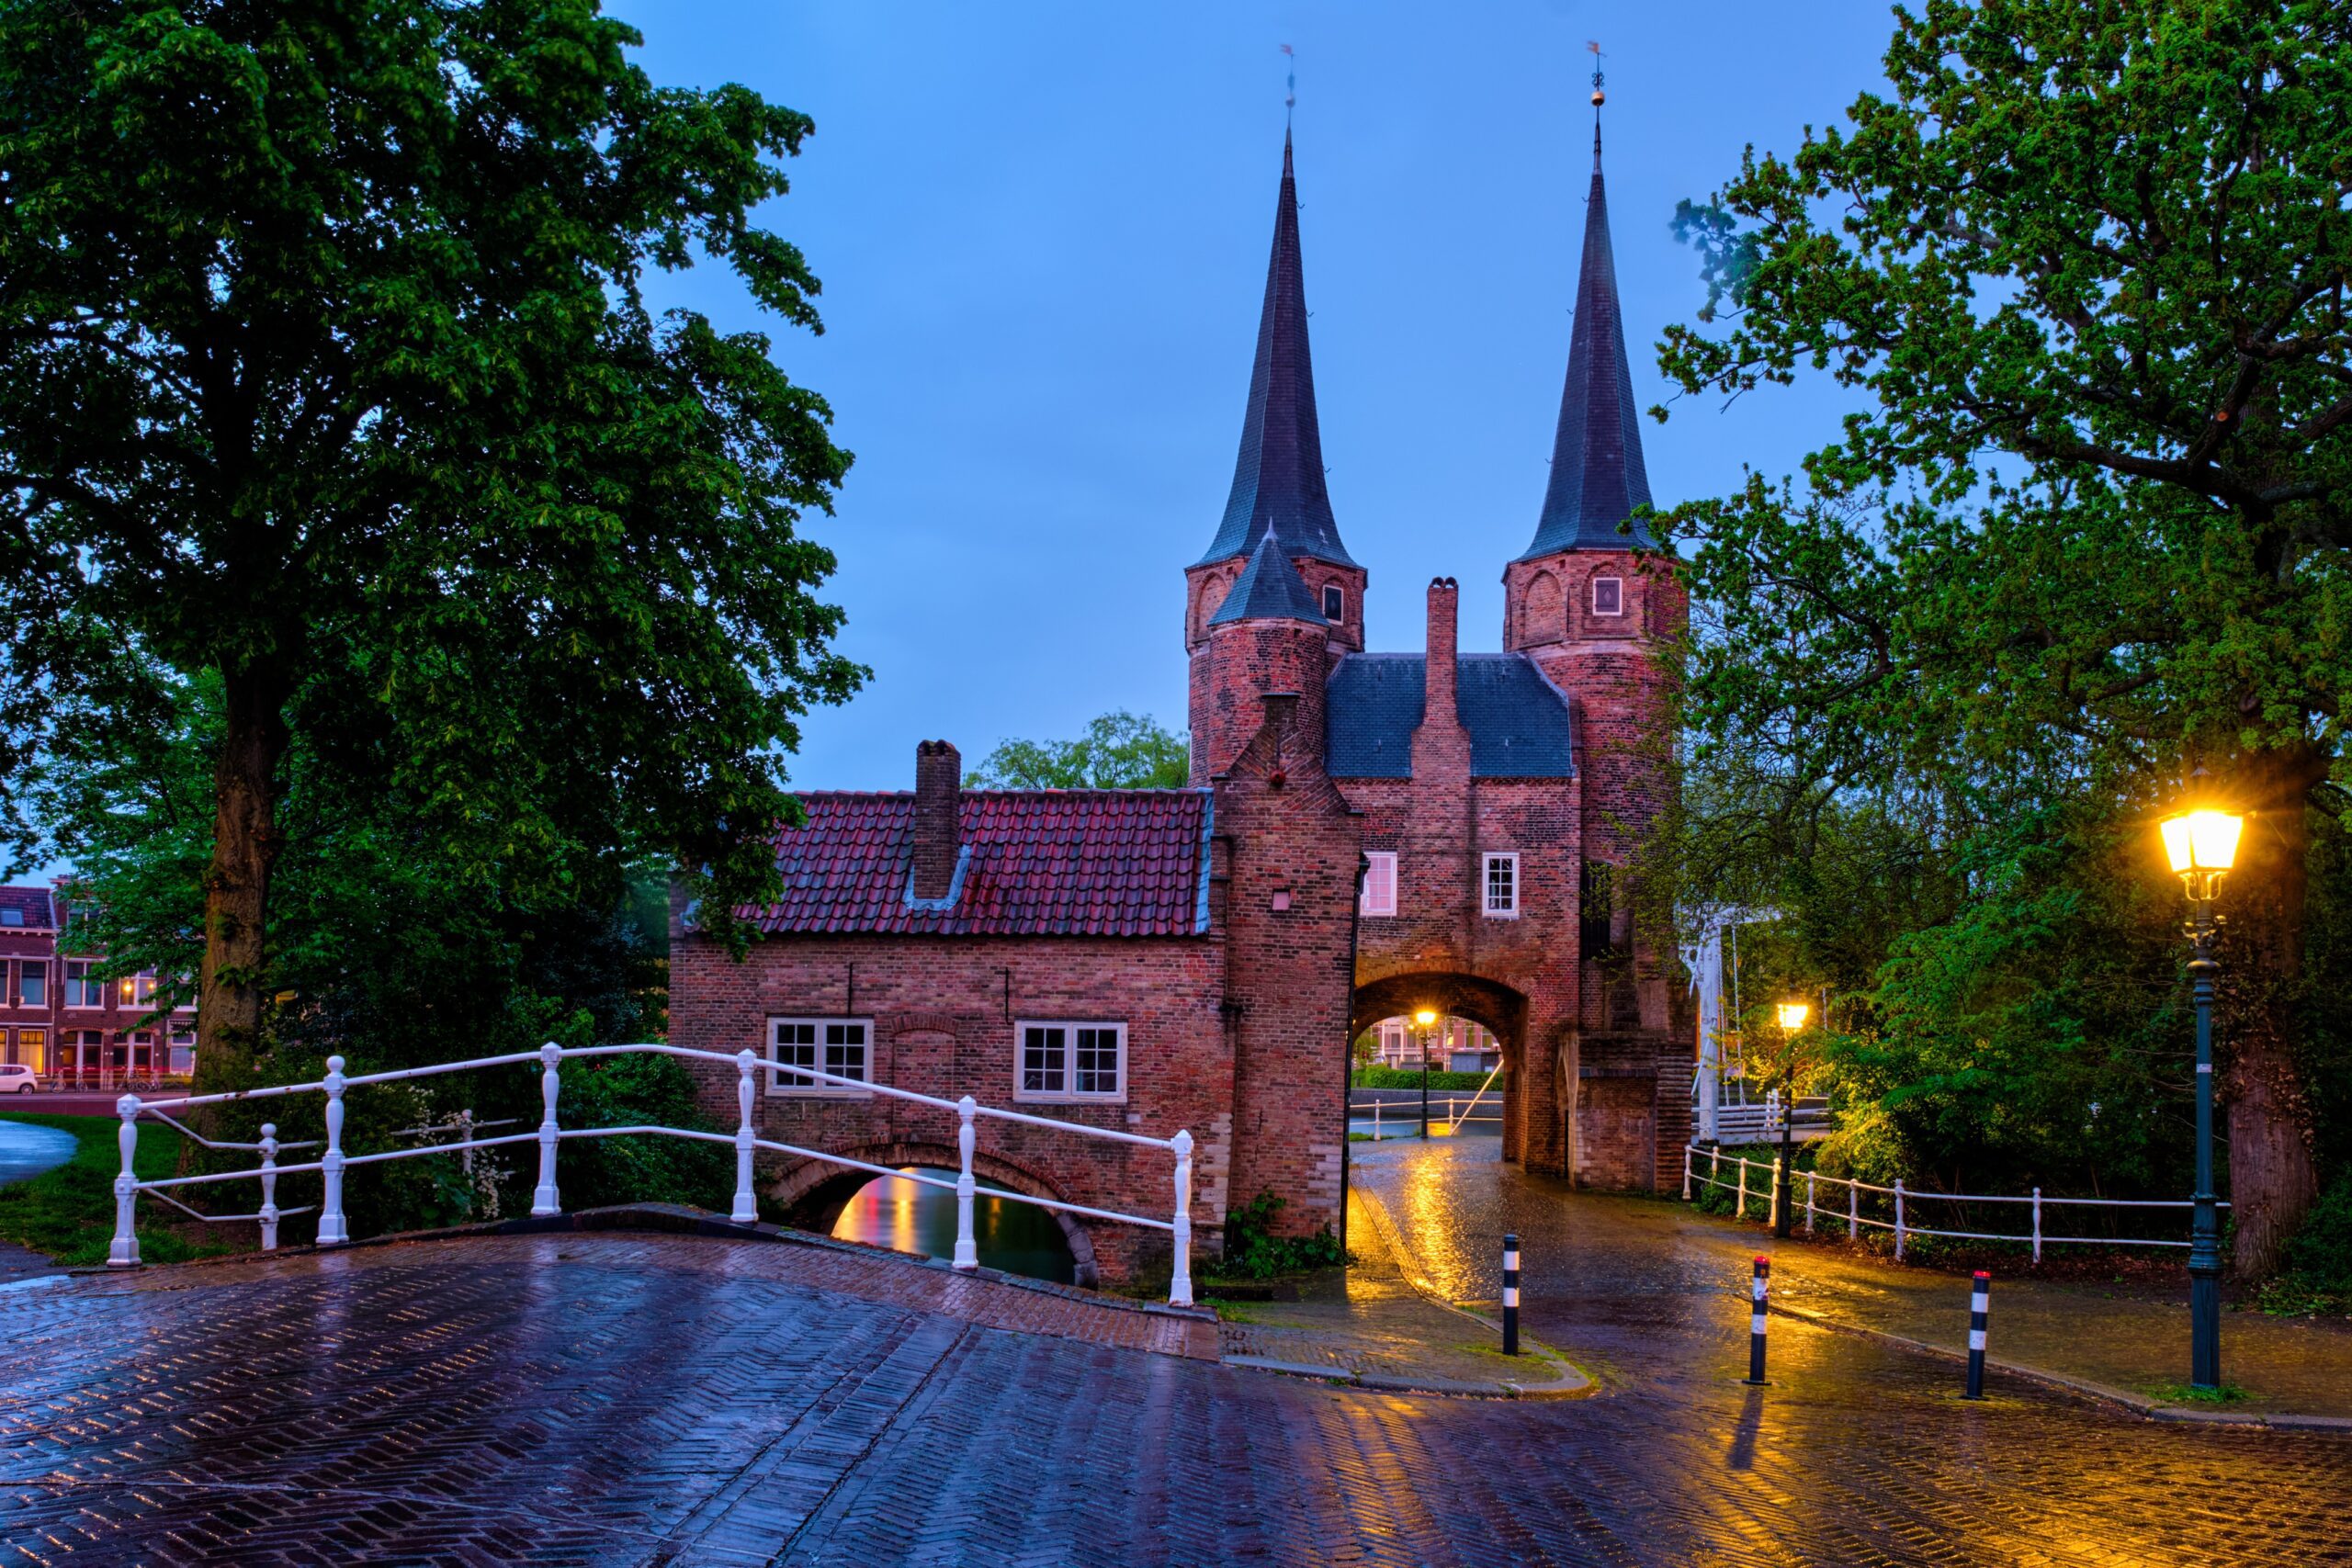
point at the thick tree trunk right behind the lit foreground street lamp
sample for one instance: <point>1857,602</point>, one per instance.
<point>2273,1179</point>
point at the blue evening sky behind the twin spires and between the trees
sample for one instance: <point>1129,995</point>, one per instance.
<point>1043,234</point>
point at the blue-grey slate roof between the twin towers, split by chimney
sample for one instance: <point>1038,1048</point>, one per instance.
<point>1521,725</point>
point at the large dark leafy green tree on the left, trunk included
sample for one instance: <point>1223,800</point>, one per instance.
<point>330,391</point>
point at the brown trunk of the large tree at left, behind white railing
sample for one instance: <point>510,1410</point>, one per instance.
<point>239,880</point>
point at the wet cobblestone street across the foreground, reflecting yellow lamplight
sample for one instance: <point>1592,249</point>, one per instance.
<point>627,1400</point>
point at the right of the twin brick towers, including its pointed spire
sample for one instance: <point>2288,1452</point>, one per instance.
<point>1591,612</point>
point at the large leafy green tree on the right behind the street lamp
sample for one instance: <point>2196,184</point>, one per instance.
<point>2083,272</point>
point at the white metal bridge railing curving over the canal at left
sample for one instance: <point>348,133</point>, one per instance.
<point>333,1162</point>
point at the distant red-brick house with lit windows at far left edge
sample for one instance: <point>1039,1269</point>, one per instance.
<point>69,1024</point>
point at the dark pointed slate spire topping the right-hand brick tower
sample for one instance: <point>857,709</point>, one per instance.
<point>1598,476</point>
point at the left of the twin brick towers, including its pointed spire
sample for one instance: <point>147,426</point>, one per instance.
<point>1276,596</point>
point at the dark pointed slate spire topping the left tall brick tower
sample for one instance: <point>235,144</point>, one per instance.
<point>1278,478</point>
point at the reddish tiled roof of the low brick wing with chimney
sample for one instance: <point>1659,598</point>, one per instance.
<point>1036,864</point>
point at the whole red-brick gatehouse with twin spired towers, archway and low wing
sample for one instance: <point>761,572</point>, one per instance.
<point>1365,836</point>
